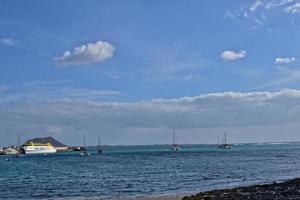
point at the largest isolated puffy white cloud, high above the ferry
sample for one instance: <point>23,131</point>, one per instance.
<point>96,52</point>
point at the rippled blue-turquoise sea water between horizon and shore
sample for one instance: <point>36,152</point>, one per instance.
<point>136,171</point>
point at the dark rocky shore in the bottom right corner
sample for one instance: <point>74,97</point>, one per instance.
<point>288,190</point>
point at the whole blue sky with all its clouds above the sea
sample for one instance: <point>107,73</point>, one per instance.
<point>132,71</point>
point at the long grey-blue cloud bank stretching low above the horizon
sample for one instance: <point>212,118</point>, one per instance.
<point>77,117</point>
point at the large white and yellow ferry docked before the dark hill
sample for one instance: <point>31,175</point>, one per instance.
<point>38,148</point>
